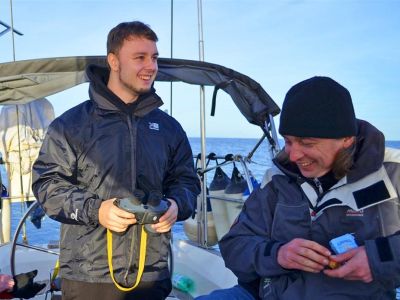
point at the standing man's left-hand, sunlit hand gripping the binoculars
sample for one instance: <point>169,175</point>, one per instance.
<point>114,218</point>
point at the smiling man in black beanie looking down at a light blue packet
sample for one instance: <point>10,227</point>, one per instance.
<point>325,223</point>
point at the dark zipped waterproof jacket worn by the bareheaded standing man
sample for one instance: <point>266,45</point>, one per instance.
<point>94,152</point>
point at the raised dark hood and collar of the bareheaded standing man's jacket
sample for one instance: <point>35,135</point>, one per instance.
<point>106,99</point>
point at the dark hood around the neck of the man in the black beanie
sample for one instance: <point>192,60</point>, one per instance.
<point>368,157</point>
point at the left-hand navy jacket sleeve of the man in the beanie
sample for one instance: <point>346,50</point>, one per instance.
<point>247,248</point>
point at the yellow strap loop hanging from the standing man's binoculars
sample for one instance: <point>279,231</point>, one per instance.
<point>142,258</point>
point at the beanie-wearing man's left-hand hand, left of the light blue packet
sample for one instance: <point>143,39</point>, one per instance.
<point>303,255</point>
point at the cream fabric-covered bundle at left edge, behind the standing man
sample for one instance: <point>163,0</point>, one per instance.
<point>22,130</point>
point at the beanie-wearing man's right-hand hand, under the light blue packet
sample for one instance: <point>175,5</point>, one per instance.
<point>355,266</point>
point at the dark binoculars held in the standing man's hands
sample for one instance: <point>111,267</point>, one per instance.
<point>145,213</point>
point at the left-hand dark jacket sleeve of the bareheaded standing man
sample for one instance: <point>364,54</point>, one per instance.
<point>55,184</point>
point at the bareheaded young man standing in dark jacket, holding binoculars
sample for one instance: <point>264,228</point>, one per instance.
<point>107,148</point>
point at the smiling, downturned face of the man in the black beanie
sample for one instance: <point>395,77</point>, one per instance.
<point>314,156</point>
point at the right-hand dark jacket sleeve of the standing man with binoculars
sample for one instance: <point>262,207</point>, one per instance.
<point>181,182</point>
